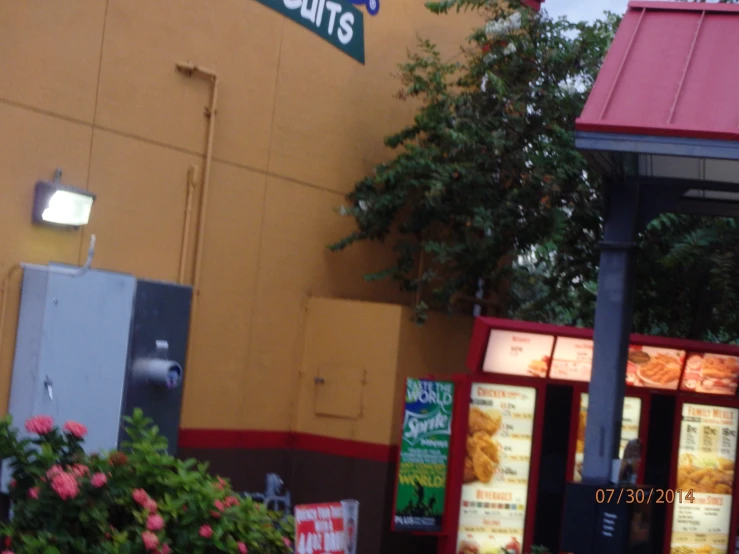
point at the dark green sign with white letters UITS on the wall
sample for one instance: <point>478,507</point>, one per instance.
<point>334,21</point>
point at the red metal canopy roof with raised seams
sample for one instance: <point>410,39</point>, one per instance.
<point>669,72</point>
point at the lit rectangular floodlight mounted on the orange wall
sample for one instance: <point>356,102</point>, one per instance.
<point>60,205</point>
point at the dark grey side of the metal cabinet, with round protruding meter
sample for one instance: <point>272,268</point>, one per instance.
<point>159,336</point>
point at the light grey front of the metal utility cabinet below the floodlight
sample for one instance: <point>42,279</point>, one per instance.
<point>71,351</point>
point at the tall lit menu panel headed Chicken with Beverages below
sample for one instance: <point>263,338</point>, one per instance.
<point>496,471</point>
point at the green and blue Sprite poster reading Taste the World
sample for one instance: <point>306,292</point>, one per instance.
<point>424,453</point>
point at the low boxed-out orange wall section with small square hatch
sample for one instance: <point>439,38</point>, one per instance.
<point>361,353</point>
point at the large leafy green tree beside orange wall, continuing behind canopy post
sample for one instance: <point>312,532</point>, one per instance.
<point>488,201</point>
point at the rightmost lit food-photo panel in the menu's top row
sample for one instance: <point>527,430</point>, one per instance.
<point>711,374</point>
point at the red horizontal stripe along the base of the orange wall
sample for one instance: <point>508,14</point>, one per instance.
<point>264,440</point>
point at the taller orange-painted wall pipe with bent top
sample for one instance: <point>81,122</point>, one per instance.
<point>190,70</point>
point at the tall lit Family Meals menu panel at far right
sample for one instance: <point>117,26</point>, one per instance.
<point>705,478</point>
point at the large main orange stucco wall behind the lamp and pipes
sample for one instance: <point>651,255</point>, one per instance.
<point>90,86</point>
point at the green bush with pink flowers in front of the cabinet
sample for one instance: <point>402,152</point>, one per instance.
<point>139,501</point>
